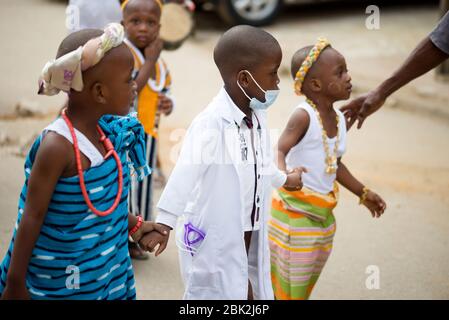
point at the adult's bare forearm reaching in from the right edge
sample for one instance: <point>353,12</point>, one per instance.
<point>423,58</point>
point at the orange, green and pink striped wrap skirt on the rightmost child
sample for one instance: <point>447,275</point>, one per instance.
<point>301,232</point>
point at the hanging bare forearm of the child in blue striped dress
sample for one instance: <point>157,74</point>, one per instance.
<point>24,243</point>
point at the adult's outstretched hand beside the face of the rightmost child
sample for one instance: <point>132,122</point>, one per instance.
<point>360,108</point>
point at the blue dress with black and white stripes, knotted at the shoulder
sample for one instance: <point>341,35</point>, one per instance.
<point>78,254</point>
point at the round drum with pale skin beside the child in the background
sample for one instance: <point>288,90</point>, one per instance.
<point>176,25</point>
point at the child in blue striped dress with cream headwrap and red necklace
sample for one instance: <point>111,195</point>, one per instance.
<point>70,238</point>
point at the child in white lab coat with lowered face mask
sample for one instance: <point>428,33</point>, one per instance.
<point>219,191</point>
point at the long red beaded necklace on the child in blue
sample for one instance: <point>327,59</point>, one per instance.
<point>109,151</point>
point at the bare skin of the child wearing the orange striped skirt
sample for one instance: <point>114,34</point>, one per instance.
<point>326,82</point>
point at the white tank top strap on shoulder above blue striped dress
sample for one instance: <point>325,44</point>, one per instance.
<point>86,147</point>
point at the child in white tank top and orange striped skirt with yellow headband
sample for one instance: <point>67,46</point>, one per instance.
<point>302,225</point>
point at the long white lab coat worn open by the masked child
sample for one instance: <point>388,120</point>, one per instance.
<point>207,193</point>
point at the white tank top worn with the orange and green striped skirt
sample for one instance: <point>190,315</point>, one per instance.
<point>309,153</point>
